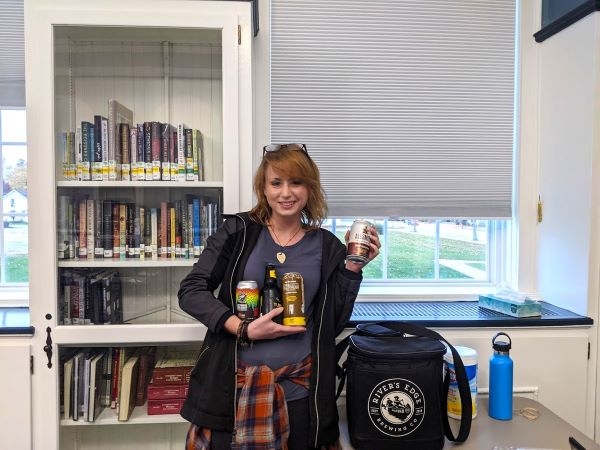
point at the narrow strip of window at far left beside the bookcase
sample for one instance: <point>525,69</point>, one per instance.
<point>14,259</point>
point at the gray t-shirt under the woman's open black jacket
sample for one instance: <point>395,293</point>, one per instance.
<point>303,257</point>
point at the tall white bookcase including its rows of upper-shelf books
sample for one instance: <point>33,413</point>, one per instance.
<point>175,66</point>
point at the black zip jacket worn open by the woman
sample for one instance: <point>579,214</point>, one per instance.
<point>211,401</point>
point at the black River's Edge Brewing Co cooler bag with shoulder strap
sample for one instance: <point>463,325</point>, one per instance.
<point>396,390</point>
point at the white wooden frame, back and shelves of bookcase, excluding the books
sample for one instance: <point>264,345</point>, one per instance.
<point>177,61</point>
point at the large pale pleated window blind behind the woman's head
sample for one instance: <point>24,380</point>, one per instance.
<point>406,106</point>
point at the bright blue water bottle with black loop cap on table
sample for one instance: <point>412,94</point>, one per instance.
<point>501,379</point>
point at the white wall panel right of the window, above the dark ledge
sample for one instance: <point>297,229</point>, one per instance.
<point>566,167</point>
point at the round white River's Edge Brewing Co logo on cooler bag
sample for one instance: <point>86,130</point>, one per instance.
<point>396,407</point>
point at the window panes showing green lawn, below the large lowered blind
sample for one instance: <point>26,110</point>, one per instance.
<point>450,251</point>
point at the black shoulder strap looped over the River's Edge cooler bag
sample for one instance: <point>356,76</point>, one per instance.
<point>400,329</point>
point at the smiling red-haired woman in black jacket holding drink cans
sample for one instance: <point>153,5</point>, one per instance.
<point>260,384</point>
